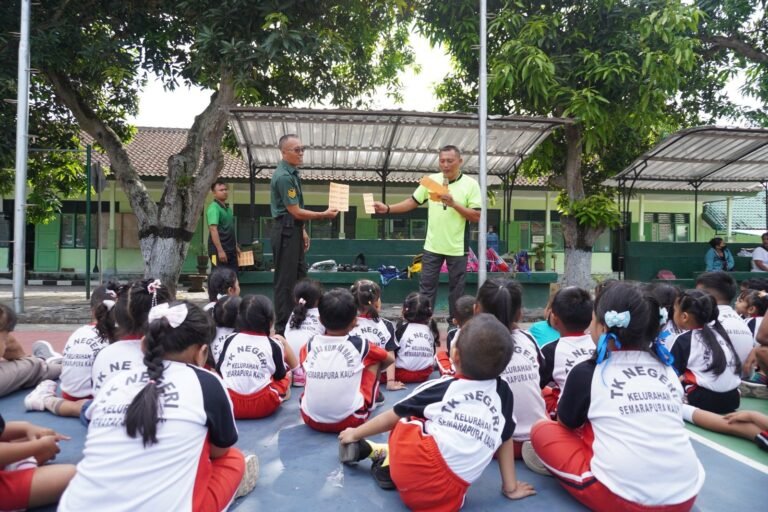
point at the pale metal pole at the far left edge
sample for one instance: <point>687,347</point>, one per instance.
<point>22,132</point>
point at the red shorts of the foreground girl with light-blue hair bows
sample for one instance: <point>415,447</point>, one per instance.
<point>568,453</point>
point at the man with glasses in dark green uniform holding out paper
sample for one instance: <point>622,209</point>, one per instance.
<point>289,236</point>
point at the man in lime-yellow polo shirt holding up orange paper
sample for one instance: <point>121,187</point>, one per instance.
<point>447,219</point>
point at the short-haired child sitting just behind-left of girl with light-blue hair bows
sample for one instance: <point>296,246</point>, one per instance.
<point>571,315</point>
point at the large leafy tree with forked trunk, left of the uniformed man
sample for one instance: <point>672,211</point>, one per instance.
<point>95,55</point>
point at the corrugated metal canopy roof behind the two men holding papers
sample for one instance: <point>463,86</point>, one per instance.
<point>350,145</point>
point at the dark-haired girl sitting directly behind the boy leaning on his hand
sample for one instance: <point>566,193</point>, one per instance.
<point>503,298</point>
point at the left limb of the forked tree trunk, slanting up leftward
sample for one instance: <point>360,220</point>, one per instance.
<point>144,208</point>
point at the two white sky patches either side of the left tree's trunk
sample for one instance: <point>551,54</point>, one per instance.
<point>177,109</point>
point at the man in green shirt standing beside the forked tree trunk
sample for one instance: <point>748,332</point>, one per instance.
<point>222,241</point>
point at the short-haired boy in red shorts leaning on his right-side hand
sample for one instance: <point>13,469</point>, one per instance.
<point>444,434</point>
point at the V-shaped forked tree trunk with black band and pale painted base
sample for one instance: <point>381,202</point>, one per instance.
<point>166,227</point>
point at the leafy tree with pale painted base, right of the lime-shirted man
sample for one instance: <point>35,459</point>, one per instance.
<point>612,66</point>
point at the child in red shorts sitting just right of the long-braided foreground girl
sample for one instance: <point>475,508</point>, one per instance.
<point>253,364</point>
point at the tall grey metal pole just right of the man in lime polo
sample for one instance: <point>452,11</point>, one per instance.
<point>482,153</point>
